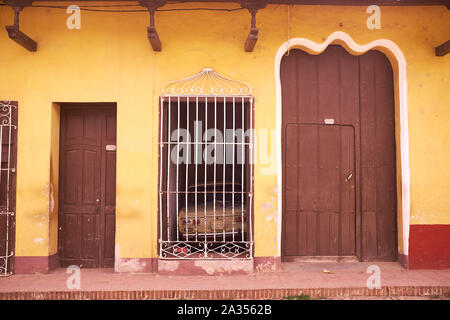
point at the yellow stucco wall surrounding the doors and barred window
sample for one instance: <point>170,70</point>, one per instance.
<point>110,60</point>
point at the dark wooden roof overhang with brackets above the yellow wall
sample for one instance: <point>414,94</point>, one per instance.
<point>252,6</point>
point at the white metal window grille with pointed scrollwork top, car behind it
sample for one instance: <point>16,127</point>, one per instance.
<point>205,169</point>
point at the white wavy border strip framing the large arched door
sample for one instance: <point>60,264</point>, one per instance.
<point>340,37</point>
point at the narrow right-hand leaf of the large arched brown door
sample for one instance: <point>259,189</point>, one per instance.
<point>378,158</point>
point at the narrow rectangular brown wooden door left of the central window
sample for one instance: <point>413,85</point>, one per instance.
<point>87,185</point>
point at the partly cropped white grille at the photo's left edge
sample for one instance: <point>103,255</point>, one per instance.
<point>8,138</point>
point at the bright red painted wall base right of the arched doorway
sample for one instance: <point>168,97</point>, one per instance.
<point>429,246</point>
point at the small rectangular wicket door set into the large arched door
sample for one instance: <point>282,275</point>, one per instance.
<point>319,202</point>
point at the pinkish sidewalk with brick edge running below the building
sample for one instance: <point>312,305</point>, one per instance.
<point>345,280</point>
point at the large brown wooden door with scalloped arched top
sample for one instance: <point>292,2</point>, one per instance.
<point>339,178</point>
